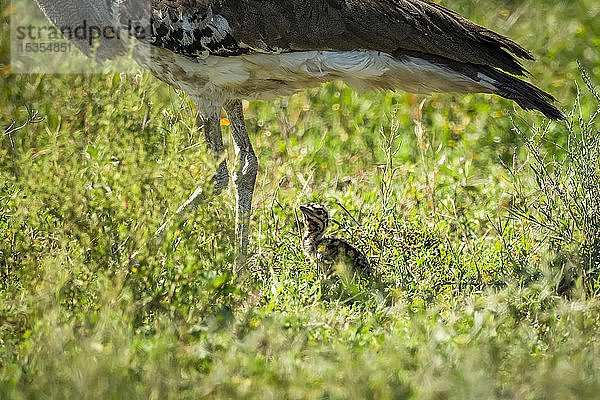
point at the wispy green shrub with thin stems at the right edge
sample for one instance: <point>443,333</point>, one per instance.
<point>563,211</point>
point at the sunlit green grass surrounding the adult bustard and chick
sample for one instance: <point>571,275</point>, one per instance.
<point>479,297</point>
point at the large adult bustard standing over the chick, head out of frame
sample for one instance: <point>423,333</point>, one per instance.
<point>221,51</point>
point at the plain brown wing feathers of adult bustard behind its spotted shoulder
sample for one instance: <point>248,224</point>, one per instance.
<point>390,26</point>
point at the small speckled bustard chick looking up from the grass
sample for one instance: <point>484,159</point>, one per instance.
<point>329,252</point>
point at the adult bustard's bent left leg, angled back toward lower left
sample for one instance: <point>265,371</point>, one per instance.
<point>214,142</point>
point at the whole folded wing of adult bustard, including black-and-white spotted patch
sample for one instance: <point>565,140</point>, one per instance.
<point>233,27</point>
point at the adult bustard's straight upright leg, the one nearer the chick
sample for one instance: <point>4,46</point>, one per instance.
<point>244,177</point>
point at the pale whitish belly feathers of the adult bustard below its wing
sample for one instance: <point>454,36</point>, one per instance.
<point>214,79</point>
